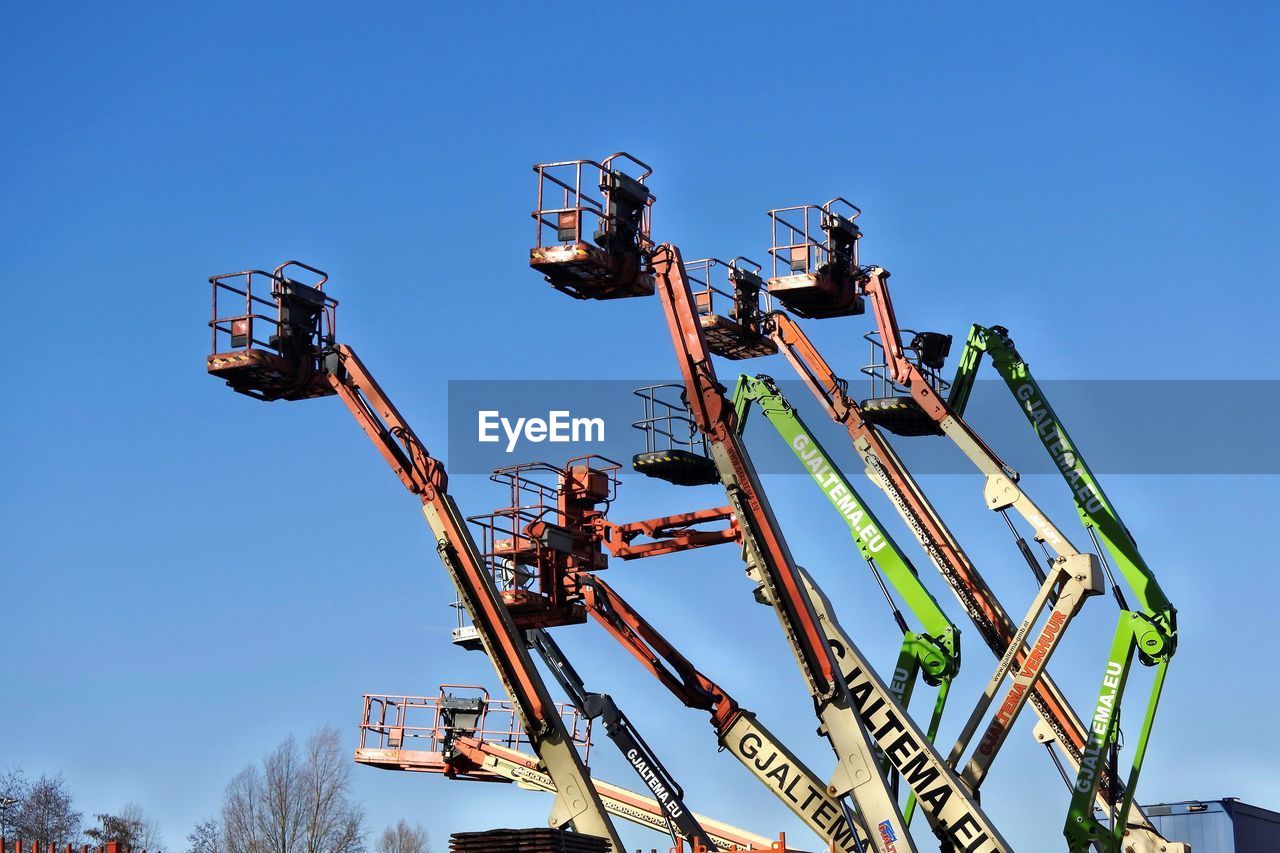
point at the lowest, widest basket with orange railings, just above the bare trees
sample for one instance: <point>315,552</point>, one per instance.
<point>423,733</point>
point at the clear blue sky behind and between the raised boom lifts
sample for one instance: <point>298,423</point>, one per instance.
<point>188,577</point>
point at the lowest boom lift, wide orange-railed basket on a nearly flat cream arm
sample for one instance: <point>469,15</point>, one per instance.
<point>464,735</point>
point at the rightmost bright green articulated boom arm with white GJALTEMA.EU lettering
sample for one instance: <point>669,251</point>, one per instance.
<point>1150,632</point>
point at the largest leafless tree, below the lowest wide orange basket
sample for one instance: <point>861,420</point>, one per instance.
<point>299,802</point>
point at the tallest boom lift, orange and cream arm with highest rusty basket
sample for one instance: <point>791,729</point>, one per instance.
<point>620,261</point>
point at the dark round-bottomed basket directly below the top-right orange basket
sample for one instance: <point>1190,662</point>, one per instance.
<point>892,405</point>
